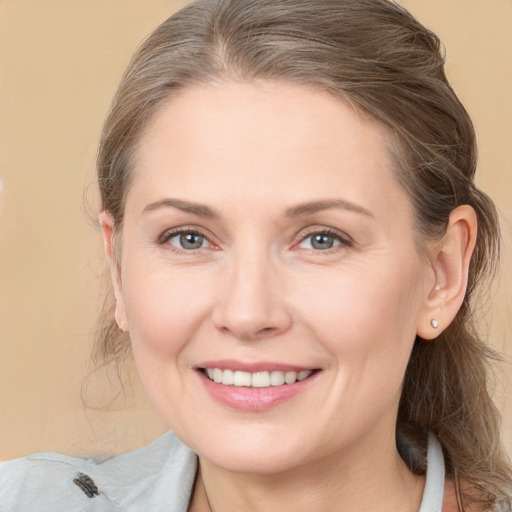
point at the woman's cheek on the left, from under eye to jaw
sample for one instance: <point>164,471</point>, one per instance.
<point>165,311</point>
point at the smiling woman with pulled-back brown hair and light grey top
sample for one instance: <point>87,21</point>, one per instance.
<point>289,213</point>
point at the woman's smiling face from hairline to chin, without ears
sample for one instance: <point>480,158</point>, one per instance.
<point>265,240</point>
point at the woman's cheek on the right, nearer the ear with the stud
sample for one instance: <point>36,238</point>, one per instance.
<point>367,324</point>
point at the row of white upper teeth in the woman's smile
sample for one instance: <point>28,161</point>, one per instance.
<point>257,379</point>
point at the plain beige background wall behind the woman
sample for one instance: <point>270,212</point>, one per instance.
<point>59,64</point>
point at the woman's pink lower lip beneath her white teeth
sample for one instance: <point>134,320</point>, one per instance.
<point>254,399</point>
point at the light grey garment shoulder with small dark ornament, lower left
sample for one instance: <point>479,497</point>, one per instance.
<point>162,472</point>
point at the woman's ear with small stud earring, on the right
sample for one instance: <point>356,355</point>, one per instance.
<point>450,262</point>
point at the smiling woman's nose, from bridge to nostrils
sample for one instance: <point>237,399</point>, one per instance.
<point>251,303</point>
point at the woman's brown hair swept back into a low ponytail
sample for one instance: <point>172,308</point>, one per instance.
<point>374,54</point>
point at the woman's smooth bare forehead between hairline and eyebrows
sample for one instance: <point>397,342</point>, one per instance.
<point>271,141</point>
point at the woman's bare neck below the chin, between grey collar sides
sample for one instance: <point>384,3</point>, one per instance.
<point>342,482</point>
